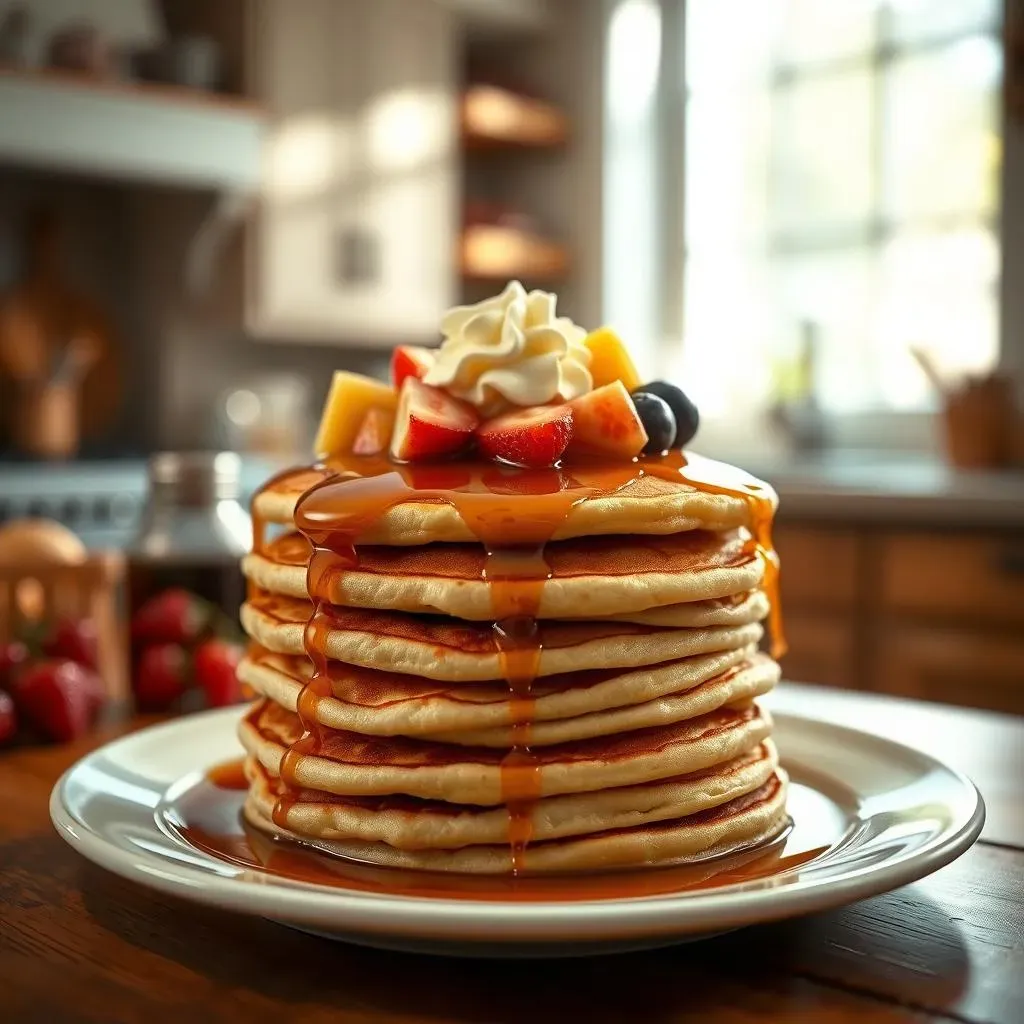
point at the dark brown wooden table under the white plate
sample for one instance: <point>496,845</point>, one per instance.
<point>78,945</point>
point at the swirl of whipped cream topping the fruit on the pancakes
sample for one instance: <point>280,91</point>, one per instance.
<point>511,351</point>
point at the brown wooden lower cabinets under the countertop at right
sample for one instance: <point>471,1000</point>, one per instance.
<point>922,613</point>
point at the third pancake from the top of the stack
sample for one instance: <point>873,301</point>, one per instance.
<point>444,649</point>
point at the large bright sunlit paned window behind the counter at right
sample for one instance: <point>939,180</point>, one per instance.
<point>841,196</point>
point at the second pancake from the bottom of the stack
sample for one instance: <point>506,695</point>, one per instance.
<point>409,824</point>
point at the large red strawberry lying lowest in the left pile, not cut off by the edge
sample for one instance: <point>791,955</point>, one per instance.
<point>59,699</point>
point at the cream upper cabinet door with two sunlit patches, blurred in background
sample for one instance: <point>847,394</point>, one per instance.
<point>354,238</point>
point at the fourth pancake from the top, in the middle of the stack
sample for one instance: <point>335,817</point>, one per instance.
<point>380,704</point>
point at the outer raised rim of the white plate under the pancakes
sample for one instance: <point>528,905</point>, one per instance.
<point>540,921</point>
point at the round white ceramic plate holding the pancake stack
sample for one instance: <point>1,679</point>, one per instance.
<point>884,814</point>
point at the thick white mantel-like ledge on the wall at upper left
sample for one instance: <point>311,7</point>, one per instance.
<point>130,132</point>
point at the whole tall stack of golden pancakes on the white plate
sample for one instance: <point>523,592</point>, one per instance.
<point>646,743</point>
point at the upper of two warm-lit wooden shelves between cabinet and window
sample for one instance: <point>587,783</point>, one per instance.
<point>497,119</point>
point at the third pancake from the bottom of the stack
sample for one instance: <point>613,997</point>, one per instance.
<point>351,764</point>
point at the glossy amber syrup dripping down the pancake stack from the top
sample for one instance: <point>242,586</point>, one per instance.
<point>514,513</point>
